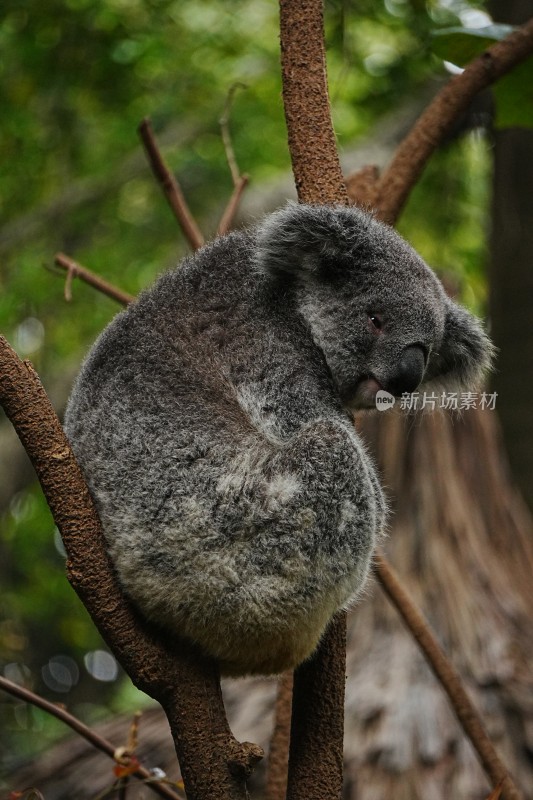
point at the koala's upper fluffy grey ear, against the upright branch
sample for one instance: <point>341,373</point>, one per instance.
<point>303,240</point>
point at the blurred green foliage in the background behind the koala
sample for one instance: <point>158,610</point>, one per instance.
<point>76,78</point>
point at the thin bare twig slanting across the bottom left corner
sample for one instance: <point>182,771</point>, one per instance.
<point>91,736</point>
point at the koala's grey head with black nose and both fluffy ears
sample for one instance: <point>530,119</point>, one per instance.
<point>379,314</point>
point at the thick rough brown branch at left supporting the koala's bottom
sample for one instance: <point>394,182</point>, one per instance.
<point>175,673</point>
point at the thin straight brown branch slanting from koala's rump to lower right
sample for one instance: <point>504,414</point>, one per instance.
<point>448,677</point>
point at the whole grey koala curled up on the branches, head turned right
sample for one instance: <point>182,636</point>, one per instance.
<point>213,423</point>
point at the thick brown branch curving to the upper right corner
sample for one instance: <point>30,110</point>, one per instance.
<point>413,153</point>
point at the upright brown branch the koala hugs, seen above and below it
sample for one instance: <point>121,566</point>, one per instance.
<point>317,728</point>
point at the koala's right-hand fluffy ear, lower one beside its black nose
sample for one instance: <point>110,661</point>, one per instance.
<point>466,353</point>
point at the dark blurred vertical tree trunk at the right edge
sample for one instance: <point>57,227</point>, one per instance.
<point>511,278</point>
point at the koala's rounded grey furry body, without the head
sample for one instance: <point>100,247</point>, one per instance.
<point>238,510</point>
